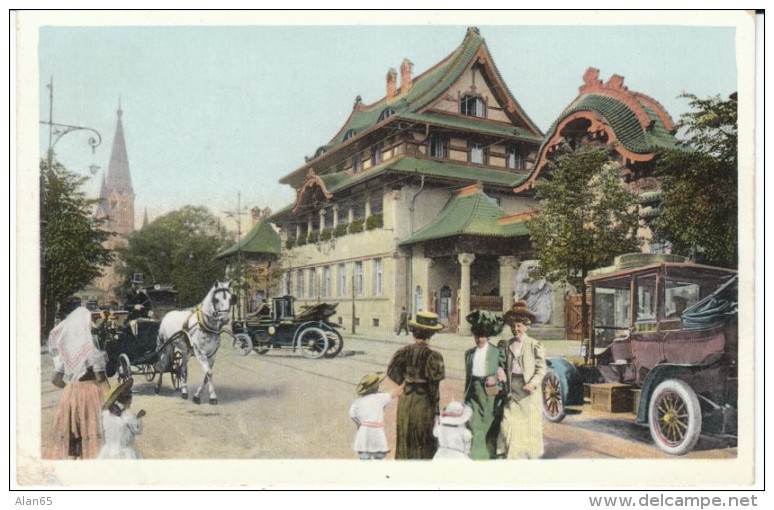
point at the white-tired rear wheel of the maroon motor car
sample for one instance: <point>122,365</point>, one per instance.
<point>674,417</point>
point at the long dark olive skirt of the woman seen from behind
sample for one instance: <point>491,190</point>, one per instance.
<point>415,420</point>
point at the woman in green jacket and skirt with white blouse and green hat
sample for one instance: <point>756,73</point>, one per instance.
<point>484,378</point>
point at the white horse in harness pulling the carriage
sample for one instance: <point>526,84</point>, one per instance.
<point>197,329</point>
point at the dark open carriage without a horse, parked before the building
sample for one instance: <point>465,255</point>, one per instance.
<point>277,326</point>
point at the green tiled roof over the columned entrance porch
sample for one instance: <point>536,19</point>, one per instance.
<point>473,214</point>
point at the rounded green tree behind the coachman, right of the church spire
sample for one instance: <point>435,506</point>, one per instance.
<point>178,248</point>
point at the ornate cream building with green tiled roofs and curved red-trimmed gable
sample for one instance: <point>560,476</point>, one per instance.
<point>421,199</point>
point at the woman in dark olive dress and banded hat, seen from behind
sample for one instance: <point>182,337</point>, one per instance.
<point>419,369</point>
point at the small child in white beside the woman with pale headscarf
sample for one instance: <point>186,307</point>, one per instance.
<point>119,424</point>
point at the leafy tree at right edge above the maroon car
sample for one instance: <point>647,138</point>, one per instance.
<point>699,202</point>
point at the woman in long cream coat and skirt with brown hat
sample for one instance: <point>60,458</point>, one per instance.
<point>521,429</point>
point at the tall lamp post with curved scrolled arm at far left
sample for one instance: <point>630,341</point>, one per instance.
<point>55,133</point>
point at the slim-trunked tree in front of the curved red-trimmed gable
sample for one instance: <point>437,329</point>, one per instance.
<point>587,217</point>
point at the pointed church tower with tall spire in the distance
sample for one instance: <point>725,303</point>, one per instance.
<point>117,207</point>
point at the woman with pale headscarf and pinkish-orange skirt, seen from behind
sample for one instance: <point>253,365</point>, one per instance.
<point>79,369</point>
